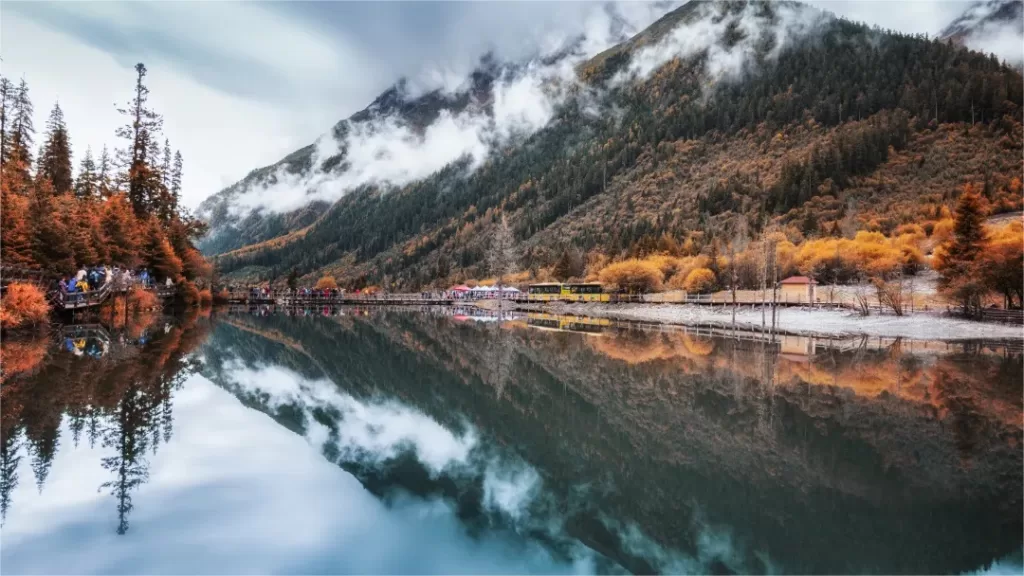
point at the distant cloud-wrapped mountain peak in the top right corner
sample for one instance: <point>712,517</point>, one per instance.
<point>992,26</point>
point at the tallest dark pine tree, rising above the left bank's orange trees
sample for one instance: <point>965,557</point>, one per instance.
<point>144,126</point>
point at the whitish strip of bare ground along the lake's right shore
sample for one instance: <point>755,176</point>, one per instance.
<point>928,326</point>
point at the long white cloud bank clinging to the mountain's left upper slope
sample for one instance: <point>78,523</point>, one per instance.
<point>387,151</point>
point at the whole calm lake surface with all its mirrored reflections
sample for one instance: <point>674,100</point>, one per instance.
<point>432,442</point>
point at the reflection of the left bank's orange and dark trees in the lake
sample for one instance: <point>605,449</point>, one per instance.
<point>114,386</point>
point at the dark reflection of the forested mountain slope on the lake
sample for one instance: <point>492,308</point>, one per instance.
<point>858,455</point>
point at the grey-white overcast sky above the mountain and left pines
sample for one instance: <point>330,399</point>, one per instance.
<point>242,86</point>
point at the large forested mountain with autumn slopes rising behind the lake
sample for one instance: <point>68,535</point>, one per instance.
<point>717,113</point>
